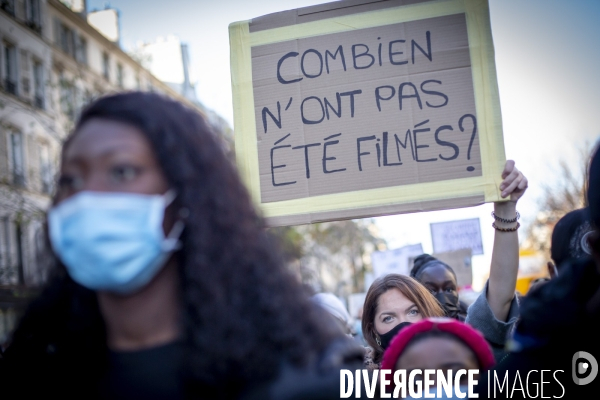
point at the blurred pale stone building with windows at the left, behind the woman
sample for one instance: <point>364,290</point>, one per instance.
<point>54,59</point>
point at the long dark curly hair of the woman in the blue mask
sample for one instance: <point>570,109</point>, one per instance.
<point>244,312</point>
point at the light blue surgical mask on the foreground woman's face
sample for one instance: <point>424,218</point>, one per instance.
<point>113,241</point>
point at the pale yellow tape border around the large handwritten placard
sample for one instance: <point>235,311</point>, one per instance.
<point>487,105</point>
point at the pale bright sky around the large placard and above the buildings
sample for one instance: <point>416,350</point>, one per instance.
<point>547,58</point>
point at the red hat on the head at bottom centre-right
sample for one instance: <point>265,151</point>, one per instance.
<point>466,334</point>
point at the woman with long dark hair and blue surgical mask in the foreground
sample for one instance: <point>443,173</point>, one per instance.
<point>165,283</point>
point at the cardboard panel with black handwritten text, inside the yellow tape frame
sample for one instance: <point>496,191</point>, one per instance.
<point>371,108</point>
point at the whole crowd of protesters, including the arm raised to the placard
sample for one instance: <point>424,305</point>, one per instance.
<point>166,286</point>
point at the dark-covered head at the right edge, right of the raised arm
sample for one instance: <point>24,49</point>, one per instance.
<point>570,237</point>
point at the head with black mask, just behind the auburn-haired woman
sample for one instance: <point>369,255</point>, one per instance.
<point>440,279</point>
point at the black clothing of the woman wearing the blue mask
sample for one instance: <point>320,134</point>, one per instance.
<point>34,371</point>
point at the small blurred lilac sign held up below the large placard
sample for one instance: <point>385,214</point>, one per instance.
<point>456,235</point>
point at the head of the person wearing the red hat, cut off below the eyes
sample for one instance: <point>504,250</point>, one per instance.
<point>440,344</point>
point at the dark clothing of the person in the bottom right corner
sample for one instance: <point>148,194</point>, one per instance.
<point>558,320</point>
